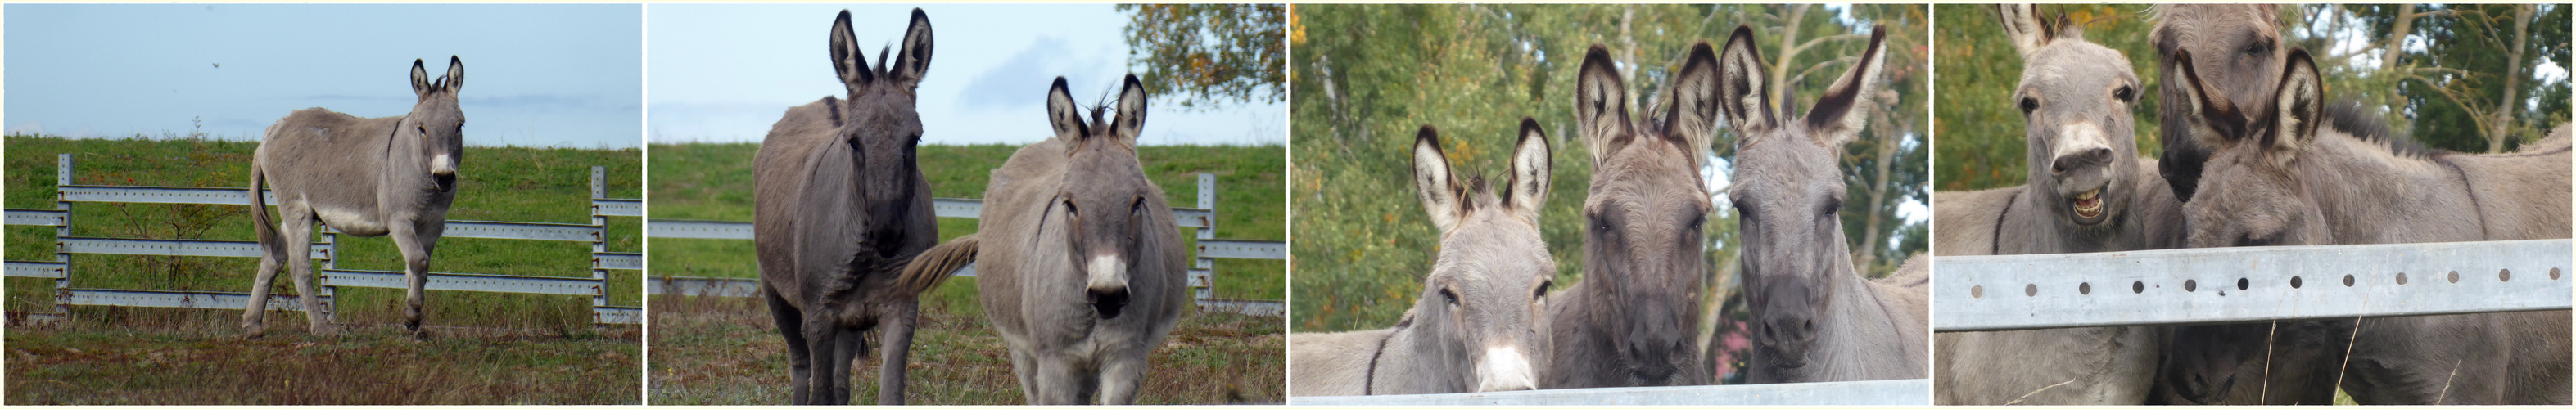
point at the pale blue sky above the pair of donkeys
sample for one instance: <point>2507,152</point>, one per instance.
<point>725,73</point>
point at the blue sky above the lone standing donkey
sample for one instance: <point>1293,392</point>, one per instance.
<point>537,76</point>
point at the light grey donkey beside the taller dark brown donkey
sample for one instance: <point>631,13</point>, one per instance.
<point>1078,259</point>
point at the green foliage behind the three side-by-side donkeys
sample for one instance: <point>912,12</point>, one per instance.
<point>1369,76</point>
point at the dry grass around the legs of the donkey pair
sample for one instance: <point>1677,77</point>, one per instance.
<point>728,351</point>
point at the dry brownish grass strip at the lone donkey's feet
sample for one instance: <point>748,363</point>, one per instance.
<point>192,361</point>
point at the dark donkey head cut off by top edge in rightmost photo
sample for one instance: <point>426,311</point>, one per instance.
<point>2237,55</point>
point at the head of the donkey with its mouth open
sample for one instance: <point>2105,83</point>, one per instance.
<point>2078,107</point>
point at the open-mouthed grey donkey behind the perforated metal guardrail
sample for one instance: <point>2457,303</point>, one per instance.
<point>2088,194</point>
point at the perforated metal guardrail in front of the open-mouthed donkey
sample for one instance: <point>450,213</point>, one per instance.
<point>2248,284</point>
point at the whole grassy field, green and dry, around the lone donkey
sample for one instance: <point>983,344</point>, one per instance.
<point>501,184</point>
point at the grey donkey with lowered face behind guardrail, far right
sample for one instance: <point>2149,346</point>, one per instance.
<point>2286,174</point>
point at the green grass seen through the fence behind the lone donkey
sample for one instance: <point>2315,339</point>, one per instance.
<point>501,184</point>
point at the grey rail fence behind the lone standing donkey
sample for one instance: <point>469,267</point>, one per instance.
<point>331,277</point>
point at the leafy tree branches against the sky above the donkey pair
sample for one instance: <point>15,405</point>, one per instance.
<point>1209,55</point>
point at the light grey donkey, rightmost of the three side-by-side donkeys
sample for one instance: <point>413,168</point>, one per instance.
<point>1817,318</point>
